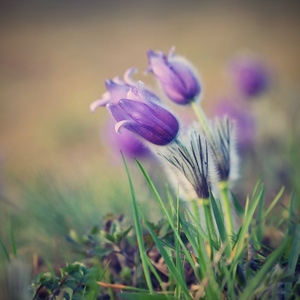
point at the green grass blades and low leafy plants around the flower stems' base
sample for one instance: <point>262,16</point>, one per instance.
<point>179,259</point>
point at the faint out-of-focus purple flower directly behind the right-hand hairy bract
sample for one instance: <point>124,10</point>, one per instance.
<point>245,121</point>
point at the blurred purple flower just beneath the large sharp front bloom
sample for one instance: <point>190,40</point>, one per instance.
<point>127,142</point>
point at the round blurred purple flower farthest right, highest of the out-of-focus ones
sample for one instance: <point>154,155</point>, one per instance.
<point>250,75</point>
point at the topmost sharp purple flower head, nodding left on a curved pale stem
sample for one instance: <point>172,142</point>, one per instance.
<point>177,77</point>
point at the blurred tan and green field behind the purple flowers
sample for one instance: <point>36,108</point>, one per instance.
<point>58,170</point>
